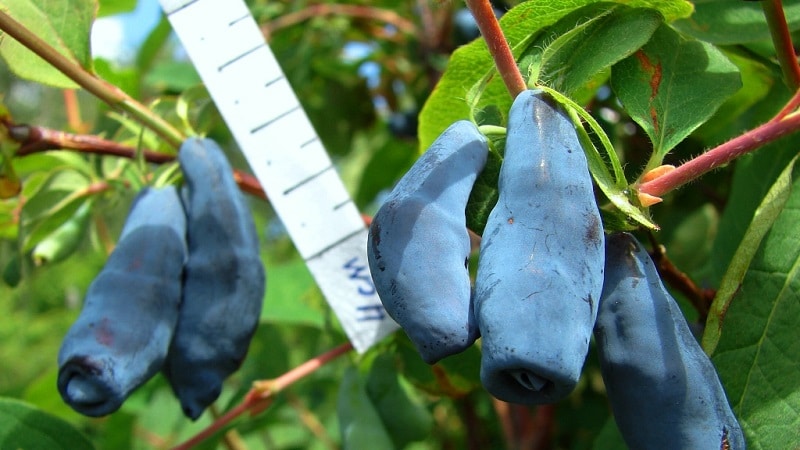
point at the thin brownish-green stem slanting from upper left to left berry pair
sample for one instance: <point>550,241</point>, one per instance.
<point>98,87</point>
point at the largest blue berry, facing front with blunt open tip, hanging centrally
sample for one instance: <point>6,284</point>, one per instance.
<point>540,270</point>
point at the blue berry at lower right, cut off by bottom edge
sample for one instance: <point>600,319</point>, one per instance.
<point>663,389</point>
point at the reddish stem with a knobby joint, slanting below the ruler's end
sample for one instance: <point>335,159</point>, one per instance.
<point>263,393</point>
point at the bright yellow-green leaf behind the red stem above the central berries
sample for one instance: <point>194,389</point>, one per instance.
<point>447,103</point>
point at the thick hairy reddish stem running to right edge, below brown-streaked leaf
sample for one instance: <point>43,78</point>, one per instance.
<point>721,155</point>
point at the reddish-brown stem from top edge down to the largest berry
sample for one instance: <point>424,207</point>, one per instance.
<point>490,29</point>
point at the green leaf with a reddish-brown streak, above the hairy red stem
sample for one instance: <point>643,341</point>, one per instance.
<point>671,86</point>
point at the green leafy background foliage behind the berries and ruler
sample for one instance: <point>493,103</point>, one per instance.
<point>666,80</point>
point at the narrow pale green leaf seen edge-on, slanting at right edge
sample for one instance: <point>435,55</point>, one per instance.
<point>765,215</point>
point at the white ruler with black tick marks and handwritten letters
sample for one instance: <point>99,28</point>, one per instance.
<point>273,131</point>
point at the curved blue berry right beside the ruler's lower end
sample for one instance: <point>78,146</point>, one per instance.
<point>418,245</point>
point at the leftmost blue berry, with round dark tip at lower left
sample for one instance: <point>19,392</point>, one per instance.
<point>123,332</point>
